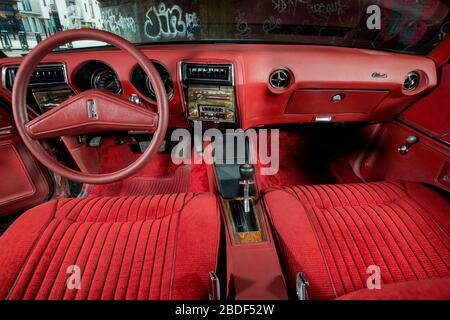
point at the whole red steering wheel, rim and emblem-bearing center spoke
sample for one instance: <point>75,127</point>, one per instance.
<point>90,111</point>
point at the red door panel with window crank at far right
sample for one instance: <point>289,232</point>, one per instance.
<point>428,160</point>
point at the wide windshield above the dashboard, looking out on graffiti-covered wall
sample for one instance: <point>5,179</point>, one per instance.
<point>410,26</point>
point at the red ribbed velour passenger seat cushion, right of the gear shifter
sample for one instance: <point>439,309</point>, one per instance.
<point>333,233</point>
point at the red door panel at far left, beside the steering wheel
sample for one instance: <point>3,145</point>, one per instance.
<point>23,182</point>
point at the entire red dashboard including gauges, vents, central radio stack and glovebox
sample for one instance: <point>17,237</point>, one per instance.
<point>240,85</point>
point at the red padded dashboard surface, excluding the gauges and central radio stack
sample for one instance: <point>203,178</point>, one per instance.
<point>318,83</point>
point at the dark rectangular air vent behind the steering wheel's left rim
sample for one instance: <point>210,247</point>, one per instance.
<point>42,75</point>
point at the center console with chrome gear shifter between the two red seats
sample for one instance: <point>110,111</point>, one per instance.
<point>253,268</point>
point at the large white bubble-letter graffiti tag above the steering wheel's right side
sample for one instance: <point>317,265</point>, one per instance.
<point>170,22</point>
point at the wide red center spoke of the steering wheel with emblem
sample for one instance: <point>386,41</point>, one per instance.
<point>90,112</point>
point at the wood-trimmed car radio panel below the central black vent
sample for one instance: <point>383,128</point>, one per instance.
<point>211,103</point>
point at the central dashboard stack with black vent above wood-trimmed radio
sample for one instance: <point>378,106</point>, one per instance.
<point>208,92</point>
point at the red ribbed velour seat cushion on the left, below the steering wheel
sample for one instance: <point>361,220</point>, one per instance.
<point>152,247</point>
